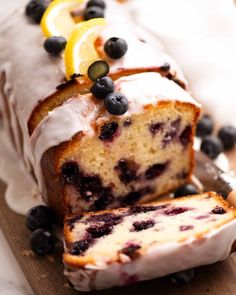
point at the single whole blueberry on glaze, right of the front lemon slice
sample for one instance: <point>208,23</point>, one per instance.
<point>115,47</point>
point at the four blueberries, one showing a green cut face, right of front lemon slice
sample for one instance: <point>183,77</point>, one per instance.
<point>103,88</point>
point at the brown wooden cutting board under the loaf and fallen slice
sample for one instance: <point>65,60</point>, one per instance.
<point>45,274</point>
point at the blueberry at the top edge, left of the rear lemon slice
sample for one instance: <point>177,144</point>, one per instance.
<point>35,9</point>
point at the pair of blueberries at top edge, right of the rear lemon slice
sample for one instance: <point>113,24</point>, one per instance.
<point>94,9</point>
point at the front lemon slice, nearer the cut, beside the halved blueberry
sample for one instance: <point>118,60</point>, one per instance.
<point>80,52</point>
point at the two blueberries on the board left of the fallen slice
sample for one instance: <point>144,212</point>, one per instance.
<point>40,220</point>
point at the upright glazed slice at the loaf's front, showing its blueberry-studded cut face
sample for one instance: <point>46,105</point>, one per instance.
<point>111,161</point>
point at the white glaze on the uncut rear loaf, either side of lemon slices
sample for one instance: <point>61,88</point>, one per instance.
<point>31,74</point>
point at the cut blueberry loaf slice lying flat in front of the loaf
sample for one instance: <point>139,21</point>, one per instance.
<point>129,245</point>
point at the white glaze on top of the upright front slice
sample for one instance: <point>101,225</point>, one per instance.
<point>84,112</point>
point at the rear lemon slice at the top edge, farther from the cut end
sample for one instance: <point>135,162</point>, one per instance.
<point>57,19</point>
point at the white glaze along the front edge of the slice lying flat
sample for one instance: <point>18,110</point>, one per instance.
<point>160,260</point>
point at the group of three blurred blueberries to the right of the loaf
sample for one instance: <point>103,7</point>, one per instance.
<point>213,145</point>
